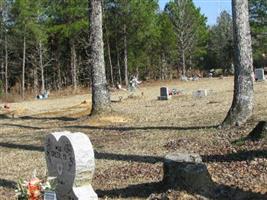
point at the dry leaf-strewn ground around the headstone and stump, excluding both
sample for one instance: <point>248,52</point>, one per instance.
<point>131,143</point>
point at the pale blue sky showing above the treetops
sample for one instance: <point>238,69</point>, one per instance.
<point>210,8</point>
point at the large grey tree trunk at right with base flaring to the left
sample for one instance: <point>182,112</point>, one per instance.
<point>242,104</point>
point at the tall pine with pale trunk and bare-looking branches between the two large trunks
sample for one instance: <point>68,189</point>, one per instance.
<point>189,26</point>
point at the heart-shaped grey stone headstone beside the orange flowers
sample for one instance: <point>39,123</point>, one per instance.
<point>70,158</point>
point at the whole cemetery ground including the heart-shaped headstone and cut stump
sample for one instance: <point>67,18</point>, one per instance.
<point>145,149</point>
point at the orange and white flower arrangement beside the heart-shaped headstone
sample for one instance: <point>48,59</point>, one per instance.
<point>35,188</point>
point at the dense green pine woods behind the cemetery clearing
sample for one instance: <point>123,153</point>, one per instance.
<point>45,44</point>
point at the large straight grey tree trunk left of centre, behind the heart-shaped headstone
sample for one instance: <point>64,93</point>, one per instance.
<point>100,93</point>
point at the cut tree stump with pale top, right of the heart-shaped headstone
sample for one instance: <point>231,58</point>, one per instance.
<point>187,171</point>
